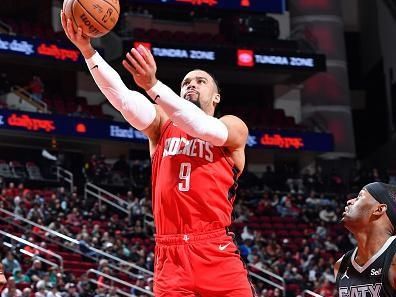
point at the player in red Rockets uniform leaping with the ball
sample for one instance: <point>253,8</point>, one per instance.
<point>196,160</point>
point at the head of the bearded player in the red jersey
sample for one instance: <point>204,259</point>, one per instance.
<point>201,88</point>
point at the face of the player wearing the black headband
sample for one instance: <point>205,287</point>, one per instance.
<point>358,211</point>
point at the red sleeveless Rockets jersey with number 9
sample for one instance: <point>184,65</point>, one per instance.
<point>194,184</point>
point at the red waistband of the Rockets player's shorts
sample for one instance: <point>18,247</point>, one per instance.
<point>189,237</point>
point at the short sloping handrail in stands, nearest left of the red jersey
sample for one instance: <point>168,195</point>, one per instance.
<point>105,196</point>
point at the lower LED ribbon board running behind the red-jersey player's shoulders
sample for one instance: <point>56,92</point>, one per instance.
<point>101,129</point>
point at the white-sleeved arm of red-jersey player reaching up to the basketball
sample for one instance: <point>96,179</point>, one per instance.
<point>134,106</point>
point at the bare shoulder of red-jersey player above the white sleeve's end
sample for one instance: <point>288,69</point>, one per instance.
<point>237,132</point>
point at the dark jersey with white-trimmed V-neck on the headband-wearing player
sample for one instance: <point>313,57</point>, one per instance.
<point>370,280</point>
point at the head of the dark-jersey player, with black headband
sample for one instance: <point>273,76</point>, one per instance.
<point>375,204</point>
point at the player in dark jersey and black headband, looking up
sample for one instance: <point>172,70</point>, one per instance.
<point>370,269</point>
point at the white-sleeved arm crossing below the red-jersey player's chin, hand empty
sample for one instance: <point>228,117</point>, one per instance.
<point>229,131</point>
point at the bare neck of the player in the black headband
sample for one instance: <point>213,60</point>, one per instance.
<point>369,243</point>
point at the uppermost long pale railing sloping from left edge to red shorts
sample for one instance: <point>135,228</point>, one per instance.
<point>99,253</point>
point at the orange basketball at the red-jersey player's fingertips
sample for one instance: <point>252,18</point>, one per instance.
<point>95,17</point>
